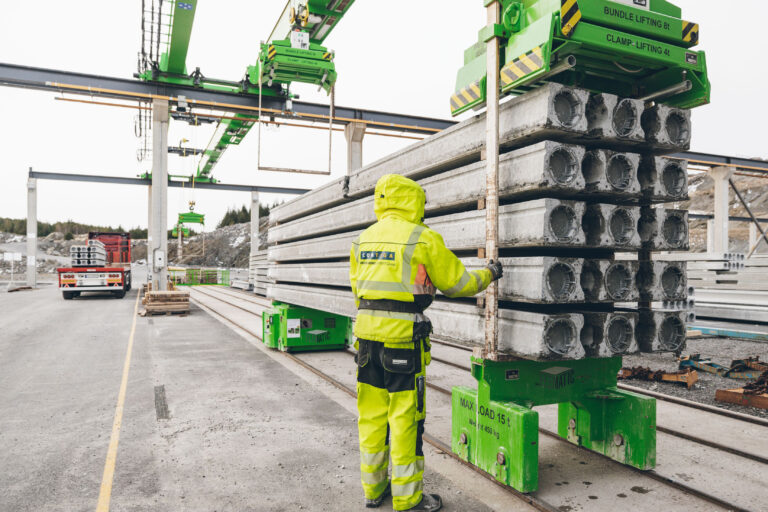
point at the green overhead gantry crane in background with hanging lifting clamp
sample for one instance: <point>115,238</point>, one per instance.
<point>293,53</point>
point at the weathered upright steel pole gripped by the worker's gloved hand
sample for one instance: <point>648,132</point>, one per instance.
<point>491,348</point>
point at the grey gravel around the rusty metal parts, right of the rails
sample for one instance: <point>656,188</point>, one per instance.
<point>720,350</point>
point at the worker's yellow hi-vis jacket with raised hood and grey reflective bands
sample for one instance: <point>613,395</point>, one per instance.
<point>400,259</point>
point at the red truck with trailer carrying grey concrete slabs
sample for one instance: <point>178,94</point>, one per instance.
<point>110,273</point>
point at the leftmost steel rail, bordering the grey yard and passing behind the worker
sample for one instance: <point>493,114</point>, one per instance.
<point>439,445</point>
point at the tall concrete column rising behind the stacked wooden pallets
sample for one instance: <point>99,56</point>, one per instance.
<point>157,256</point>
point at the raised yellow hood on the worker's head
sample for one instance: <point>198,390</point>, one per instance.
<point>401,197</point>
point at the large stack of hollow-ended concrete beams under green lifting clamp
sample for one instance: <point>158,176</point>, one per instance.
<point>580,180</point>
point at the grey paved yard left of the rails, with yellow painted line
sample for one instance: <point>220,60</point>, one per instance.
<point>241,431</point>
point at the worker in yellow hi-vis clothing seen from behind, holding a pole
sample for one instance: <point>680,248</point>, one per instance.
<point>395,266</point>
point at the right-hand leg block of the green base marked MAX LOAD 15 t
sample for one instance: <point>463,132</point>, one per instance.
<point>618,424</point>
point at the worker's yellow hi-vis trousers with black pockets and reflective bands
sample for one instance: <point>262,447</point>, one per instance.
<point>391,401</point>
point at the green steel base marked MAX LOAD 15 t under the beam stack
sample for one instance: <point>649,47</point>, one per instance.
<point>496,429</point>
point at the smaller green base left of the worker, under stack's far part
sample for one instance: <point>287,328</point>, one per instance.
<point>292,328</point>
